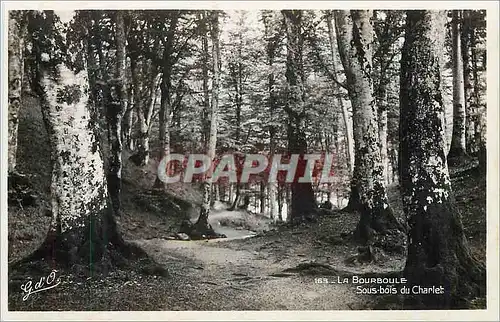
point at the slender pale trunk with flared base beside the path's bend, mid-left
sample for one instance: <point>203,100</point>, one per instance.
<point>202,224</point>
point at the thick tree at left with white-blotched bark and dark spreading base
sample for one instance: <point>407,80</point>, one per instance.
<point>82,230</point>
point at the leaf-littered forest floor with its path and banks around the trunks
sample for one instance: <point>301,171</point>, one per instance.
<point>260,266</point>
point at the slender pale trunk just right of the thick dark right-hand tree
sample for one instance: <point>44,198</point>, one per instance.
<point>458,143</point>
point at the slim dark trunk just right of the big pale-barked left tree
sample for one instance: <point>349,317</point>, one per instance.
<point>114,113</point>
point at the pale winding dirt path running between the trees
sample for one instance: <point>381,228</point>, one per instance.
<point>236,274</point>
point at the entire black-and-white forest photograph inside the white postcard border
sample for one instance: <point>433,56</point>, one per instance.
<point>206,160</point>
